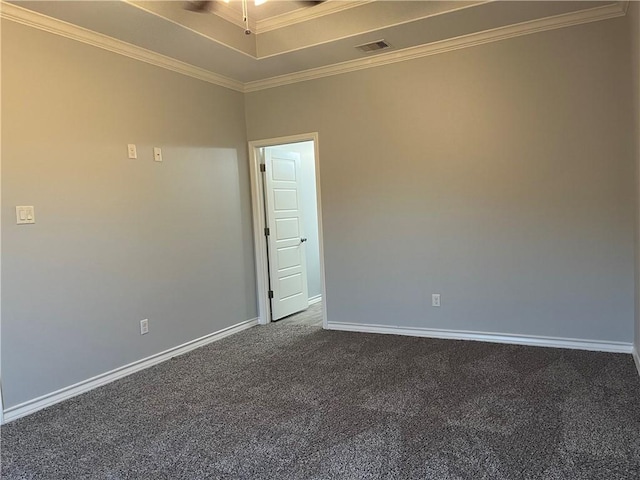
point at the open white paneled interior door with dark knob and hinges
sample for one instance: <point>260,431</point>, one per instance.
<point>287,263</point>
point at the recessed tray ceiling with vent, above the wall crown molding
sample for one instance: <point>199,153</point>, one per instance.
<point>289,38</point>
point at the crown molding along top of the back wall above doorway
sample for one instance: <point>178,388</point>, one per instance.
<point>502,33</point>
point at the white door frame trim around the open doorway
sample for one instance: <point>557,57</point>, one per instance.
<point>258,212</point>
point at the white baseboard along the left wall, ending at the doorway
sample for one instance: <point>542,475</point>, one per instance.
<point>52,398</point>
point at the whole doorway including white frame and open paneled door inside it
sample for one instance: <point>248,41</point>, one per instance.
<point>287,221</point>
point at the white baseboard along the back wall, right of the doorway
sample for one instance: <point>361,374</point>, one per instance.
<point>578,344</point>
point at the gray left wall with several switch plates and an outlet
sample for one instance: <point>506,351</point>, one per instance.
<point>116,240</point>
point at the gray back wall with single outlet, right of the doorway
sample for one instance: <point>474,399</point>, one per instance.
<point>501,176</point>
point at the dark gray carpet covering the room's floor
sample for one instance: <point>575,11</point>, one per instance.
<point>297,402</point>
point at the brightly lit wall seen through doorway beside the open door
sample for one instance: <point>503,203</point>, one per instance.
<point>310,212</point>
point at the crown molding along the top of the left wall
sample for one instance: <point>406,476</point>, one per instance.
<point>33,19</point>
